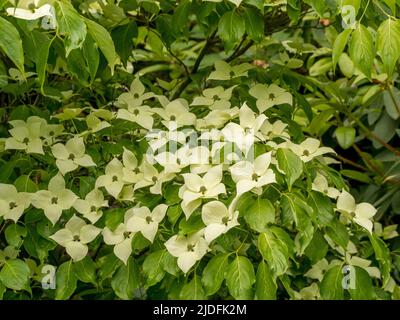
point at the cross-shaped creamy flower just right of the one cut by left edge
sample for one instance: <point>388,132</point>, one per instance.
<point>54,200</point>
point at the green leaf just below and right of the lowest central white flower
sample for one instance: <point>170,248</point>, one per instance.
<point>214,272</point>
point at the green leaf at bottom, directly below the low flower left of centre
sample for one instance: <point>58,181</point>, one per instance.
<point>126,280</point>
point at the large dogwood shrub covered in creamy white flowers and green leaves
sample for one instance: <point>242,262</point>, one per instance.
<point>153,193</point>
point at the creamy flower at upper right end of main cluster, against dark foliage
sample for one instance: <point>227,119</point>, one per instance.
<point>269,96</point>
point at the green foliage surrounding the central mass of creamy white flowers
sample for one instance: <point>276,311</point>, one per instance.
<point>341,67</point>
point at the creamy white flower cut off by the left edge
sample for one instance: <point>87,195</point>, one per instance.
<point>13,203</point>
